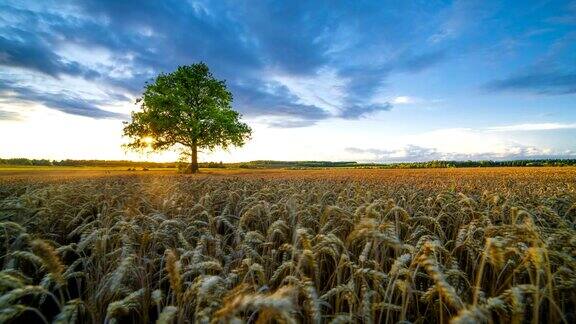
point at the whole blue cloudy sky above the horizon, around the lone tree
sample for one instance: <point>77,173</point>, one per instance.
<point>370,81</point>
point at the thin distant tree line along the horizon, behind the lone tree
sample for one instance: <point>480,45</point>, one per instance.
<point>267,164</point>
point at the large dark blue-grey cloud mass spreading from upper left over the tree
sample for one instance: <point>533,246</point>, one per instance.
<point>241,42</point>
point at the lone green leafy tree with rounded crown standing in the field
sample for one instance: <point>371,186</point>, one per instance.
<point>189,109</point>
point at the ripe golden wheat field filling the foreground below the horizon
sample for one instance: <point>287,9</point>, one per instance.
<point>484,245</point>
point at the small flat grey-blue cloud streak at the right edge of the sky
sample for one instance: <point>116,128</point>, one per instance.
<point>548,83</point>
